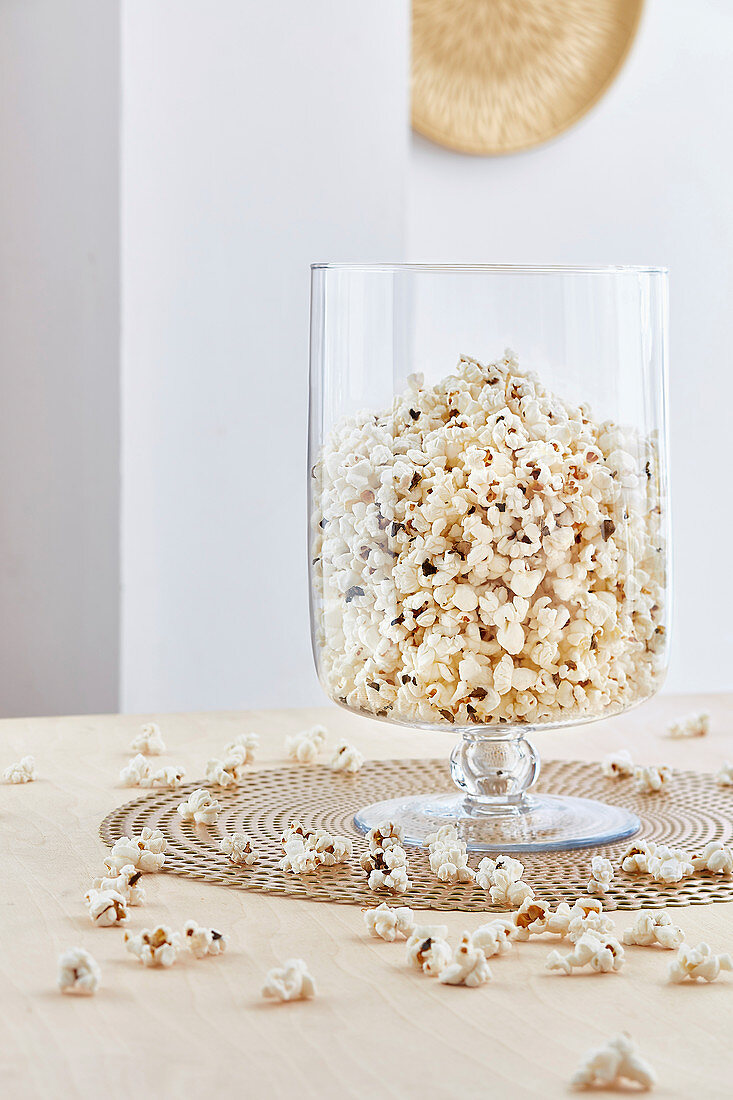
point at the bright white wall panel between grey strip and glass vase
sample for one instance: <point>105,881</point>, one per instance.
<point>256,139</point>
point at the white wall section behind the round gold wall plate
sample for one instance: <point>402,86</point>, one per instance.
<point>644,179</point>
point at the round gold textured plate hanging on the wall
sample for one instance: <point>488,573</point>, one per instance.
<point>497,76</point>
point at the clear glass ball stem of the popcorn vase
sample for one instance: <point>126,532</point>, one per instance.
<point>494,773</point>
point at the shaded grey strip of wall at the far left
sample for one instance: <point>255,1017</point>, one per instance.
<point>59,357</point>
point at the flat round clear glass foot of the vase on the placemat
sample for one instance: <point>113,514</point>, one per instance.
<point>538,823</point>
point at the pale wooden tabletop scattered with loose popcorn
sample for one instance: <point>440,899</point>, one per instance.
<point>377,1029</point>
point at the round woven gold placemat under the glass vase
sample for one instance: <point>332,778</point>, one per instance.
<point>693,812</point>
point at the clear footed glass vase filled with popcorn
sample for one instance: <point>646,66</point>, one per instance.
<point>489,523</point>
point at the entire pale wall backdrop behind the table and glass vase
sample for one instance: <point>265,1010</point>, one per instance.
<point>251,144</point>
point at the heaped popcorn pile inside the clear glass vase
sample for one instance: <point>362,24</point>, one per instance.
<point>487,553</point>
